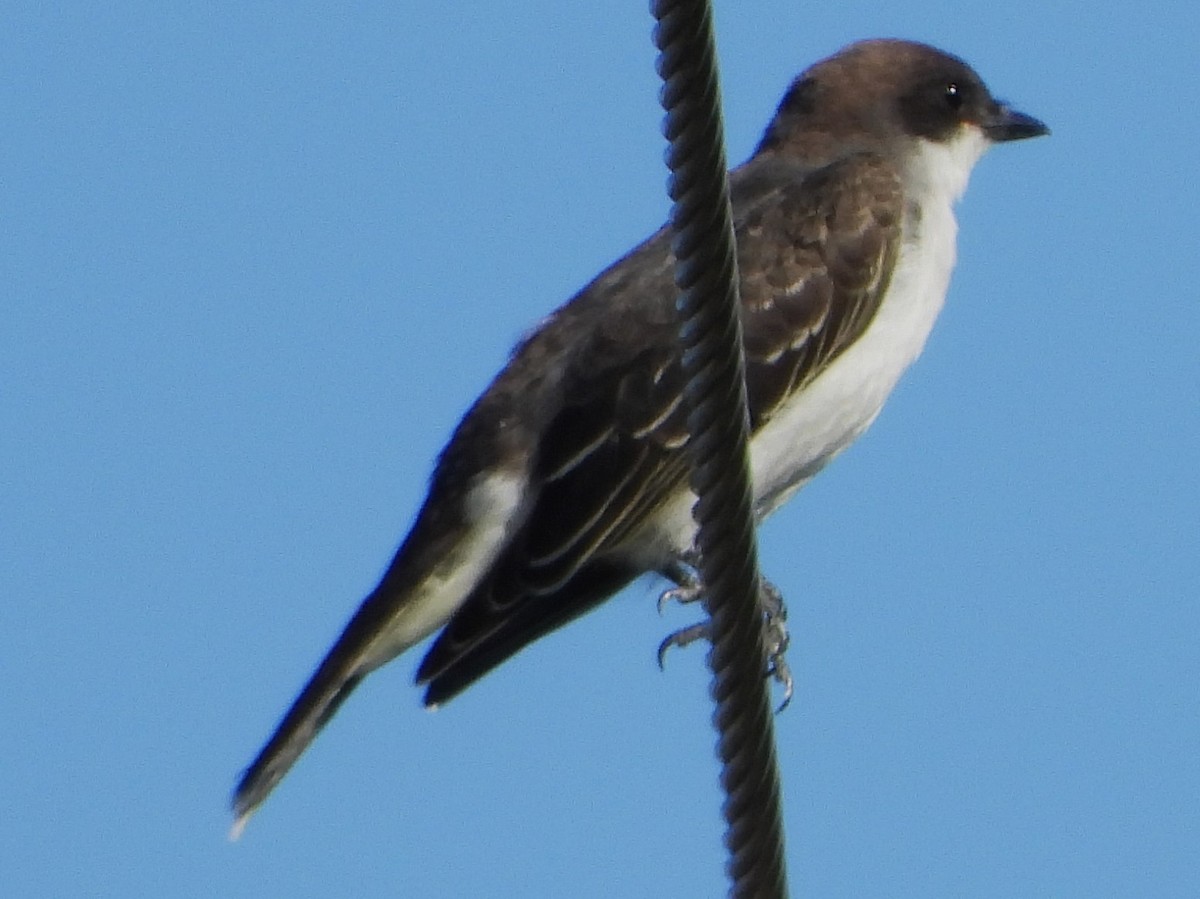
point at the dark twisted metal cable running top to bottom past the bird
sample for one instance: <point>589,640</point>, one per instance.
<point>711,334</point>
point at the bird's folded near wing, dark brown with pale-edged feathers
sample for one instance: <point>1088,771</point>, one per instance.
<point>814,256</point>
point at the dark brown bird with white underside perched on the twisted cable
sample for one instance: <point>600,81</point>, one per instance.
<point>568,477</point>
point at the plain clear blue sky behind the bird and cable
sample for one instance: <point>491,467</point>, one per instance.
<point>259,259</point>
